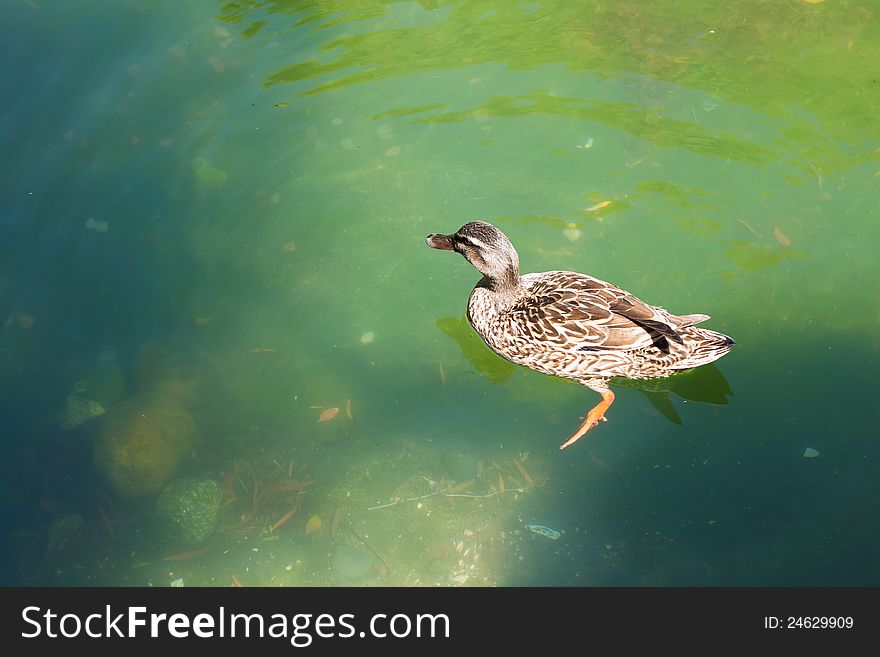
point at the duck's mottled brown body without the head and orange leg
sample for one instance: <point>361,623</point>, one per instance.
<point>579,327</point>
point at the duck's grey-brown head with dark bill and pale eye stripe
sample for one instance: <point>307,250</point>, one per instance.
<point>485,247</point>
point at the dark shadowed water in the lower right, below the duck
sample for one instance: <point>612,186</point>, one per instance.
<point>737,499</point>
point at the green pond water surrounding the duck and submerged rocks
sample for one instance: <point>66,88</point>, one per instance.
<point>226,203</point>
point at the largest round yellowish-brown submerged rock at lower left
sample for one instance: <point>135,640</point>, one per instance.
<point>142,442</point>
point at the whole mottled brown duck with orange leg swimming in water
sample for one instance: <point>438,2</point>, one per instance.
<point>572,325</point>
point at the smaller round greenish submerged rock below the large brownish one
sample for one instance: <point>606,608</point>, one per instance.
<point>187,509</point>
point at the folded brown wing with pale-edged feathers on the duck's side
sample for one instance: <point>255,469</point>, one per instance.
<point>581,312</point>
